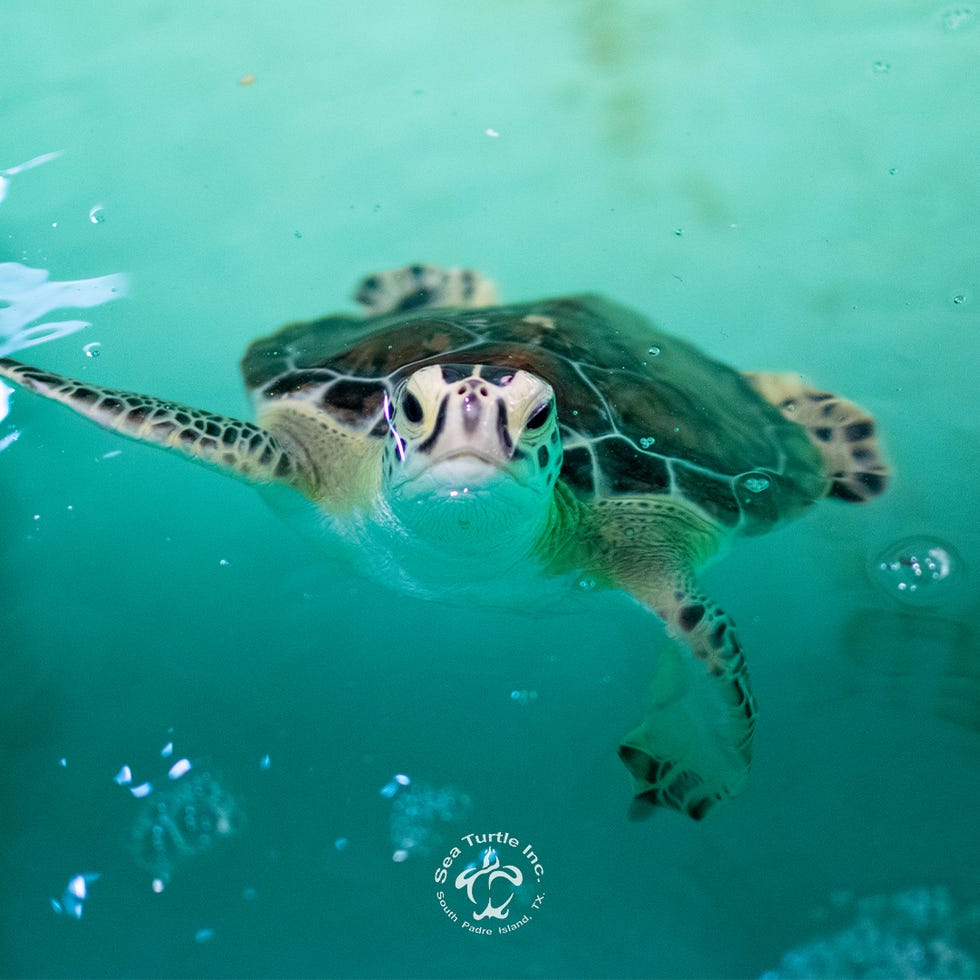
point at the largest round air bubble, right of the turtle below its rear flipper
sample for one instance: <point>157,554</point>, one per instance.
<point>918,571</point>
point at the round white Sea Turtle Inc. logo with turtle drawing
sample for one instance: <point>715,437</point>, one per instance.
<point>490,884</point>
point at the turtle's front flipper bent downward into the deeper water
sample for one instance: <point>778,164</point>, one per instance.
<point>694,747</point>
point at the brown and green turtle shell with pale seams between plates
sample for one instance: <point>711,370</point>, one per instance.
<point>641,412</point>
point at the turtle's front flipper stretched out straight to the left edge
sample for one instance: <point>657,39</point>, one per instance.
<point>240,448</point>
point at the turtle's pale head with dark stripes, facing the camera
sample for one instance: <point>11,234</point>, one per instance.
<point>471,449</point>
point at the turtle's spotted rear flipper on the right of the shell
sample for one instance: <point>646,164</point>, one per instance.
<point>842,431</point>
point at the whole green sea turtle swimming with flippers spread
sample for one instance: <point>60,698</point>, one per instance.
<point>460,446</point>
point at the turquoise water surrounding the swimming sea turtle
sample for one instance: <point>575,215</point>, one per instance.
<point>788,186</point>
